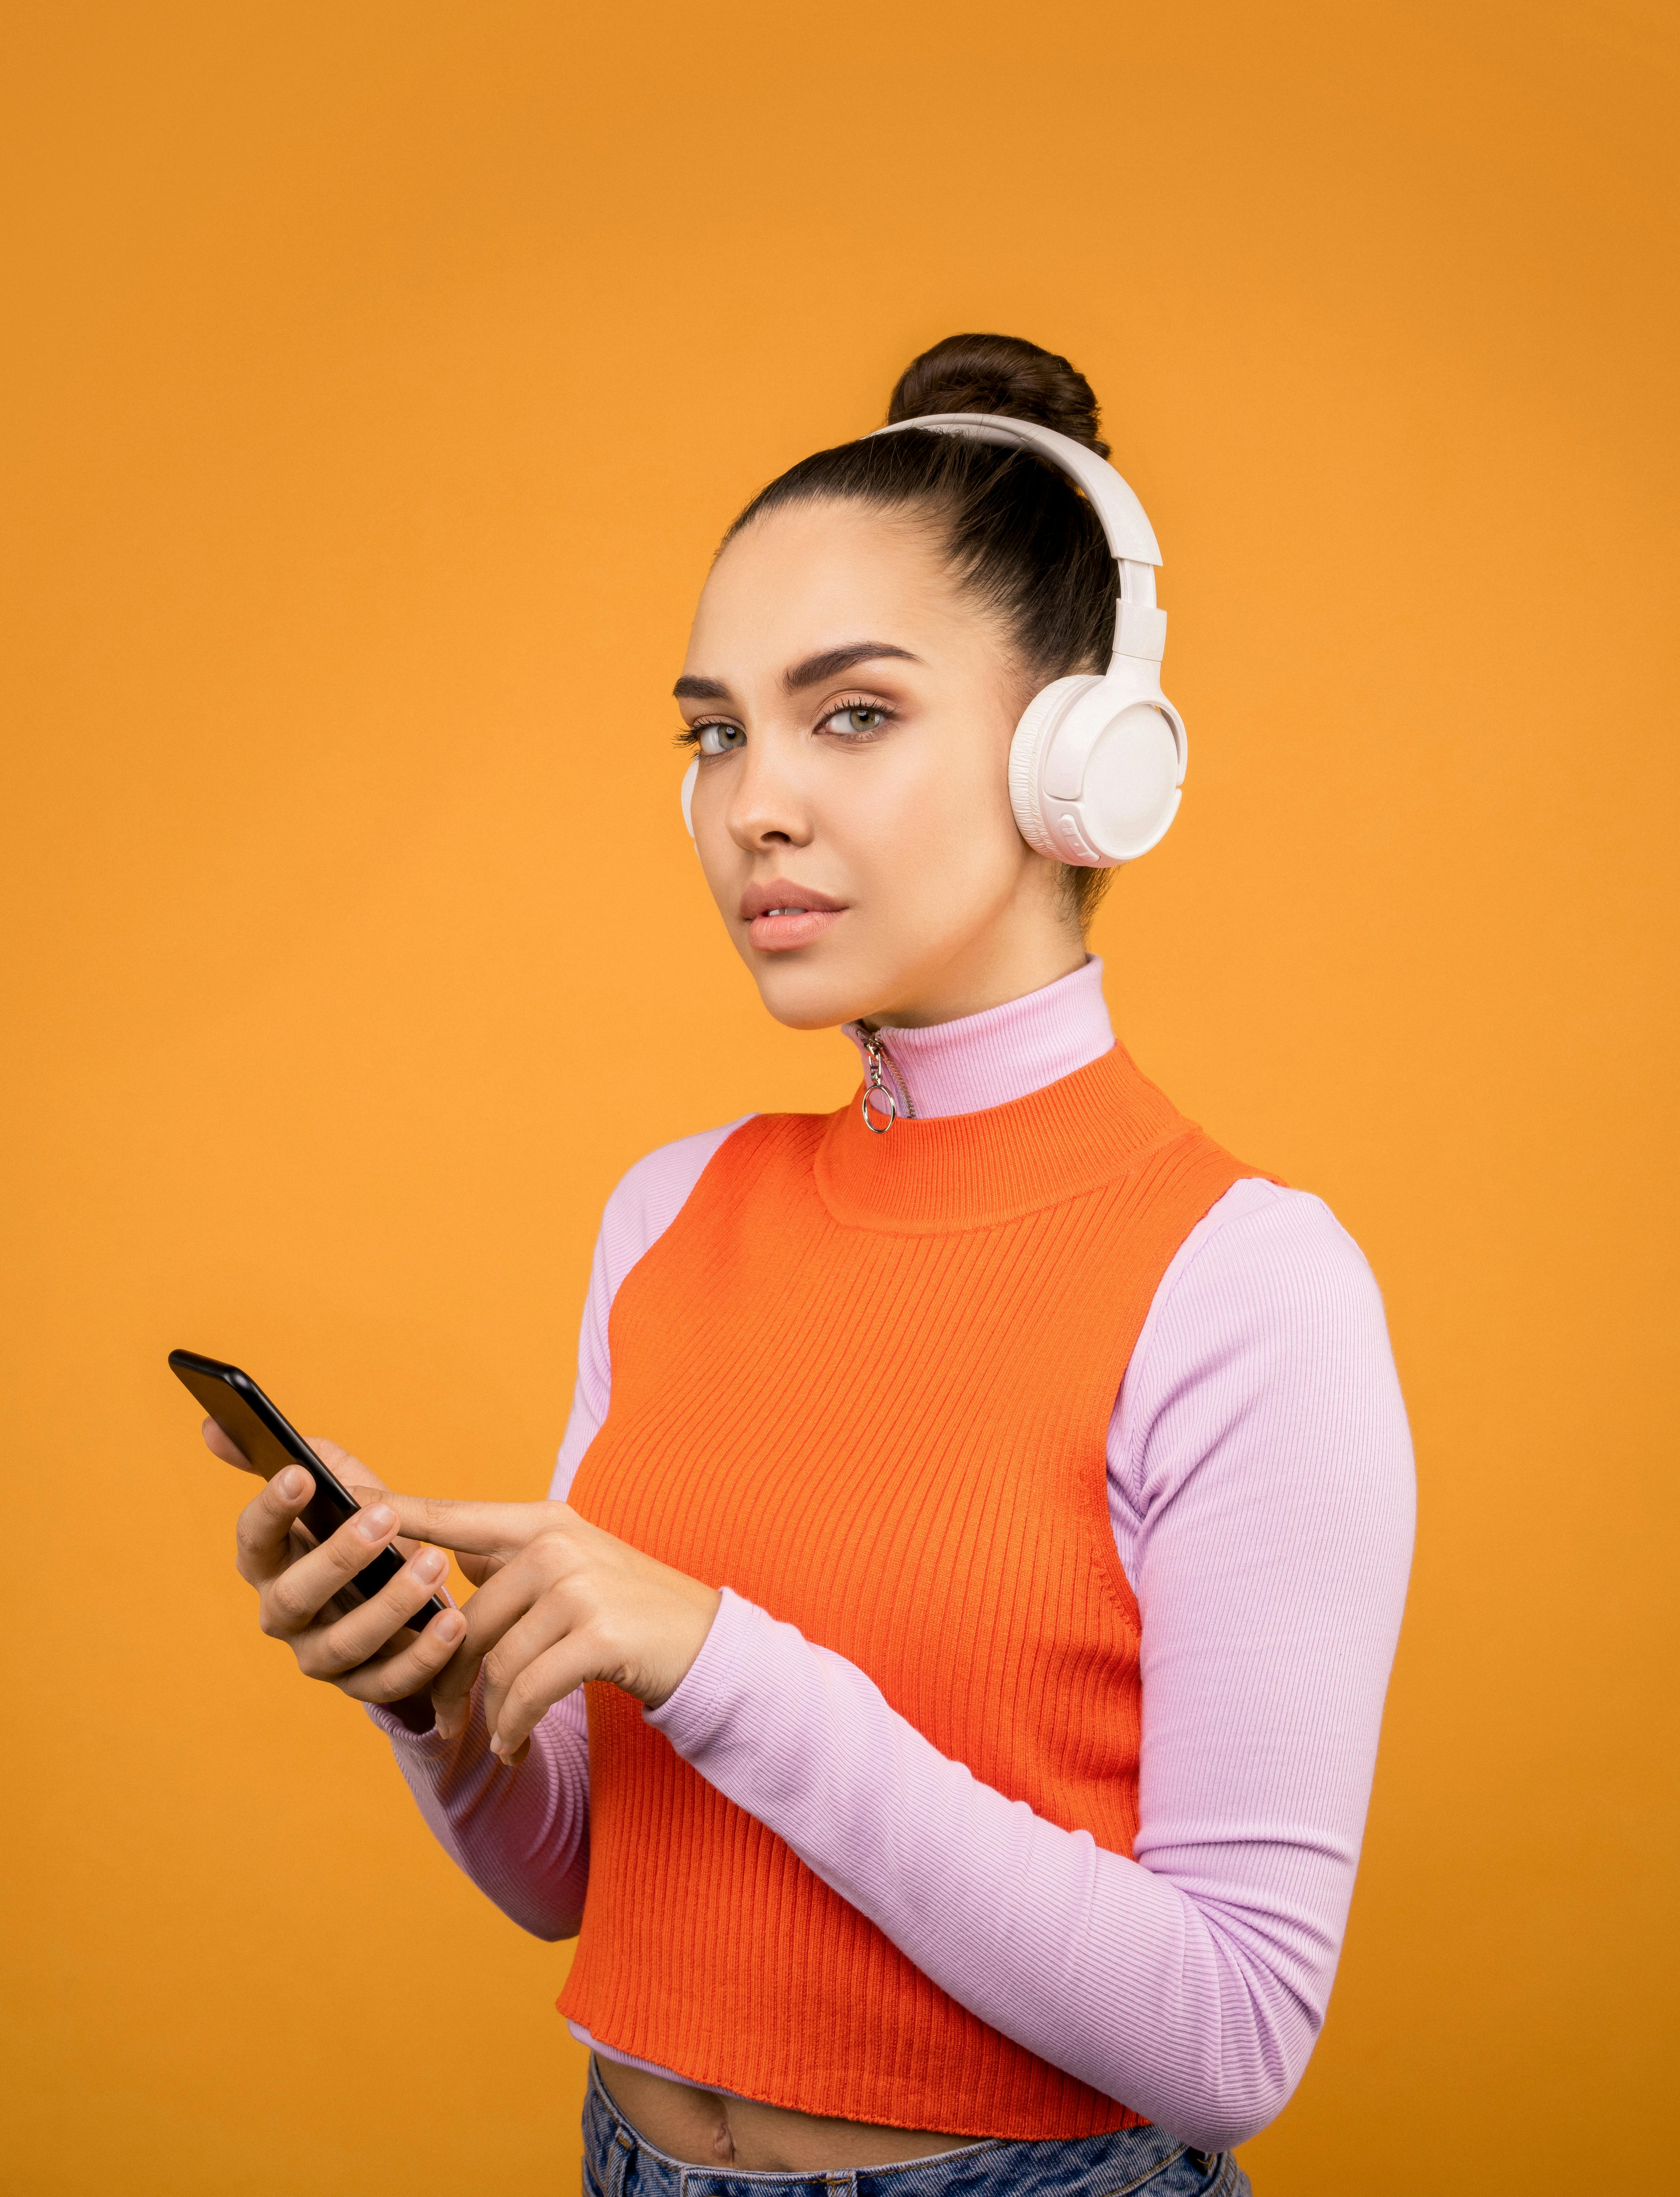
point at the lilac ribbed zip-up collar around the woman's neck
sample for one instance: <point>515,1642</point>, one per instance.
<point>1003,1053</point>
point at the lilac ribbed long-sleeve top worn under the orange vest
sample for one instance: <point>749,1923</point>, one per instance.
<point>1262,1499</point>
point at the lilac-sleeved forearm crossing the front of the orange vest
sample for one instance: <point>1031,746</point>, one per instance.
<point>1194,2009</point>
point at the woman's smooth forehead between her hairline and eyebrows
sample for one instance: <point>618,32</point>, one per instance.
<point>814,577</point>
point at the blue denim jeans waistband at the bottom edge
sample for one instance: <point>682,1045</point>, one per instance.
<point>1145,2161</point>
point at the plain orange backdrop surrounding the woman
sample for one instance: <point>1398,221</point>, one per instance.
<point>379,383</point>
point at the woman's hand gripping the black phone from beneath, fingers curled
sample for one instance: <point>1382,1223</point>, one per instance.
<point>361,1649</point>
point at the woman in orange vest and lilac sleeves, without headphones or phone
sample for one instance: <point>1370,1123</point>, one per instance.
<point>985,1515</point>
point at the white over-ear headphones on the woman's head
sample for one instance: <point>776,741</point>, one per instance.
<point>1095,763</point>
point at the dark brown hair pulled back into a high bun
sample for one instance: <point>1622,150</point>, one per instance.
<point>1018,535</point>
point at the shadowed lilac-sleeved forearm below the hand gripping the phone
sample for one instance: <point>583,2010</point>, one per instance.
<point>519,1833</point>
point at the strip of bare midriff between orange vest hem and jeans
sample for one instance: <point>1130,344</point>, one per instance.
<point>702,2128</point>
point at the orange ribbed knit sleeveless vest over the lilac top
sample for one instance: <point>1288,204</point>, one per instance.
<point>866,1381</point>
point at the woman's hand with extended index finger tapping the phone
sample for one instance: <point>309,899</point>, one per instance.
<point>561,1603</point>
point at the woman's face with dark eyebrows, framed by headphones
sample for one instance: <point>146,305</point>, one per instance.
<point>855,715</point>
